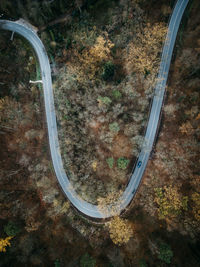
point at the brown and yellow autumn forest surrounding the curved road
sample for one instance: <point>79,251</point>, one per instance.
<point>104,57</point>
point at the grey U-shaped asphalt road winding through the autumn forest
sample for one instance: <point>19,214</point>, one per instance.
<point>86,208</point>
